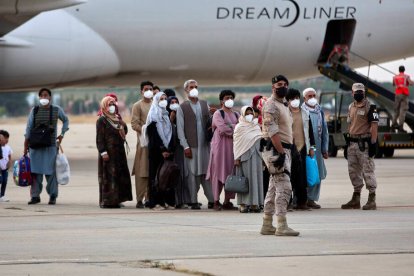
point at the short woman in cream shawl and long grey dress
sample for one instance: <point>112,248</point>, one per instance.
<point>247,158</point>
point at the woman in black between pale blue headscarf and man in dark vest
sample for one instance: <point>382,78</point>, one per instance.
<point>182,191</point>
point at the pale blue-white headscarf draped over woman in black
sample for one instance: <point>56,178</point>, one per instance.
<point>160,116</point>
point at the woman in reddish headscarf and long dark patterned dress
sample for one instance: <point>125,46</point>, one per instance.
<point>113,172</point>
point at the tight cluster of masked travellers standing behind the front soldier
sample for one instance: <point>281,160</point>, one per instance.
<point>208,145</point>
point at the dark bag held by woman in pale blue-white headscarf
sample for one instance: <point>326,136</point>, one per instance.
<point>167,177</point>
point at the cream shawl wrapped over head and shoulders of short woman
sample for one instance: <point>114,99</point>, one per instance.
<point>245,134</point>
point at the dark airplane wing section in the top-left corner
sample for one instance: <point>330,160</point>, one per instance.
<point>14,13</point>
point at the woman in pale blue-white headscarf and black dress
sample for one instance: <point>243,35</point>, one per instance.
<point>160,147</point>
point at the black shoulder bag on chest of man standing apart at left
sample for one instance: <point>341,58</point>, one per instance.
<point>40,137</point>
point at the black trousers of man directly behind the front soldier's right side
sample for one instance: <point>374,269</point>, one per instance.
<point>298,175</point>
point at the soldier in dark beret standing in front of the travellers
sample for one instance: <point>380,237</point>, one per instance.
<point>277,130</point>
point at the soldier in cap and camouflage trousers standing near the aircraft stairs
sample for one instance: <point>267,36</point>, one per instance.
<point>363,130</point>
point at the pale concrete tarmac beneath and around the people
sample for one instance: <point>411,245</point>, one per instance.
<point>76,237</point>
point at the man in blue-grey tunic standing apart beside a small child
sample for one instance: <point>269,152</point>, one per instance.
<point>43,156</point>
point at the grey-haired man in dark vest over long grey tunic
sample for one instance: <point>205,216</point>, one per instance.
<point>192,117</point>
